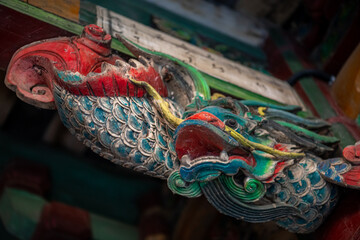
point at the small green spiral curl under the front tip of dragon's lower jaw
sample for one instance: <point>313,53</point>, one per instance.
<point>178,186</point>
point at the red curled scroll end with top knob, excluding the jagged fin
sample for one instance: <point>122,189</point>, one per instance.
<point>30,72</point>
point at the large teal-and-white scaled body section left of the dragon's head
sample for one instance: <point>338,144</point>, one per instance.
<point>125,130</point>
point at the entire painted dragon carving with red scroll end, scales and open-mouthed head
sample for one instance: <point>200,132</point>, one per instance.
<point>252,161</point>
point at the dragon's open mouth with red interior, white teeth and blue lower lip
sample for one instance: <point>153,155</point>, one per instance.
<point>205,151</point>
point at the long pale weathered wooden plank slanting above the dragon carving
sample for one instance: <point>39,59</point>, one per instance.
<point>204,61</point>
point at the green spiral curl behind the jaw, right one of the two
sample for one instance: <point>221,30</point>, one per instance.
<point>252,190</point>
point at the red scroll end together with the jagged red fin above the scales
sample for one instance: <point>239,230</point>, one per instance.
<point>31,70</point>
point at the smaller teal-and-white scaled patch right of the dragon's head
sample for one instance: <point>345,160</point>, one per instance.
<point>302,186</point>
